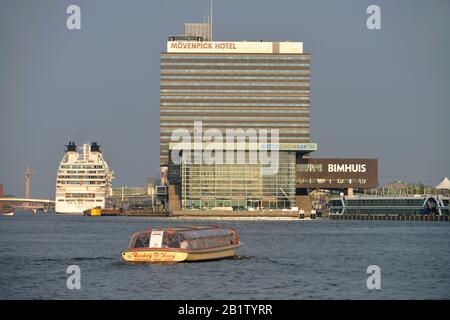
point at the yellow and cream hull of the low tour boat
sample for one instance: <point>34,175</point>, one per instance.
<point>172,256</point>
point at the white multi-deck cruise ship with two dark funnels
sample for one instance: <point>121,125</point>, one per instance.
<point>83,180</point>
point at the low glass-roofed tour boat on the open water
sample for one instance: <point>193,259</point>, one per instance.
<point>192,243</point>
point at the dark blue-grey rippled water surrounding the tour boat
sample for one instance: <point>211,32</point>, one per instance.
<point>322,259</point>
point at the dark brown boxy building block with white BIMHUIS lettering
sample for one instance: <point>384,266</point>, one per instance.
<point>337,173</point>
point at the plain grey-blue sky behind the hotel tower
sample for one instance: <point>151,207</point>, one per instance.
<point>381,94</point>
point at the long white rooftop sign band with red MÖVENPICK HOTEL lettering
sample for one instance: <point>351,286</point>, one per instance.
<point>234,47</point>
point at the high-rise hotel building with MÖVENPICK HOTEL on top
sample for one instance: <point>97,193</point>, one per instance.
<point>235,85</point>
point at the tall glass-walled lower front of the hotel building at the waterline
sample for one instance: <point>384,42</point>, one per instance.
<point>239,186</point>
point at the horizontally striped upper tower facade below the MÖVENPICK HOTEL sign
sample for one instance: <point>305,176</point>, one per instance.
<point>235,90</point>
